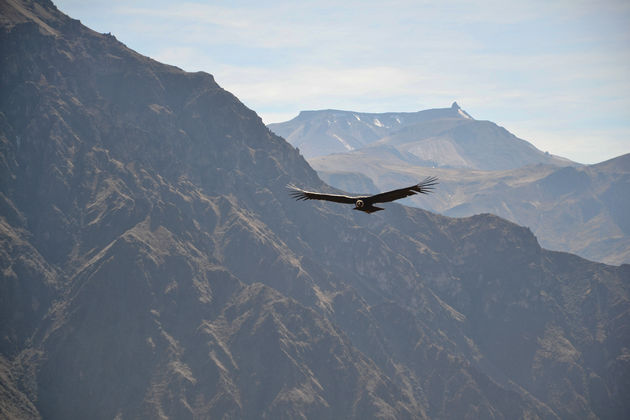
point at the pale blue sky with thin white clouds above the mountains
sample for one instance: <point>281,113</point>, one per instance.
<point>553,72</point>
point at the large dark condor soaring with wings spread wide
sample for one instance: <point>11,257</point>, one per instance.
<point>365,203</point>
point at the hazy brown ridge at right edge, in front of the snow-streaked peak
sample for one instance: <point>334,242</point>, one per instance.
<point>583,210</point>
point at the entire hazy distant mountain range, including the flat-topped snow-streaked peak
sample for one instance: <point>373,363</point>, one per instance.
<point>483,169</point>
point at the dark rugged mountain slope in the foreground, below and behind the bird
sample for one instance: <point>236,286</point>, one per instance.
<point>154,266</point>
